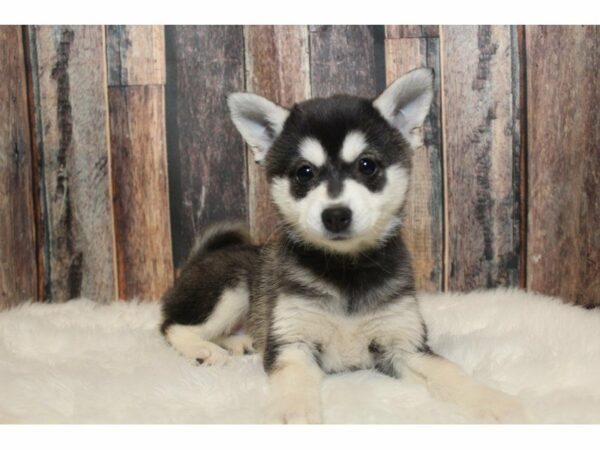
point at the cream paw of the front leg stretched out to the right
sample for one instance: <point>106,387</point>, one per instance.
<point>496,407</point>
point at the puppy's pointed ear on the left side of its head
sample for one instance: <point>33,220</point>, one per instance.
<point>258,120</point>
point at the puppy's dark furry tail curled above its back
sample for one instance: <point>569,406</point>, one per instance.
<point>219,236</point>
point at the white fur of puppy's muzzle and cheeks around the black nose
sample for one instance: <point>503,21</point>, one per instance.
<point>374,214</point>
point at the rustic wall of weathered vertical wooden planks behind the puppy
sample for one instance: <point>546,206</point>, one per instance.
<point>116,149</point>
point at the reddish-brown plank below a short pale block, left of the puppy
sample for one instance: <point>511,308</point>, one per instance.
<point>140,191</point>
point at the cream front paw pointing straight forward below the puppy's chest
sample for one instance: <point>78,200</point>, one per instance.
<point>295,409</point>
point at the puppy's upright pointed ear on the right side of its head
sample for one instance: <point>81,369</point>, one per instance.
<point>405,103</point>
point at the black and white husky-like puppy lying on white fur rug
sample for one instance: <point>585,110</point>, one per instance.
<point>335,291</point>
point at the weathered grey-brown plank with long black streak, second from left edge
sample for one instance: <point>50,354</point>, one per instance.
<point>72,140</point>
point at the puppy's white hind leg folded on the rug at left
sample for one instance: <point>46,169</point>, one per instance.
<point>199,342</point>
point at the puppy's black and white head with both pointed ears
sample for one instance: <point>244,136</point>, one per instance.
<point>338,167</point>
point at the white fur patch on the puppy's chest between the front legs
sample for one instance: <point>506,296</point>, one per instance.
<point>343,339</point>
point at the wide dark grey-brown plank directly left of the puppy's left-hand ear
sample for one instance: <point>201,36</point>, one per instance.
<point>207,158</point>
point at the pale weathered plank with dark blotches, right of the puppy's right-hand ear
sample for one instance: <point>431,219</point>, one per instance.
<point>481,146</point>
